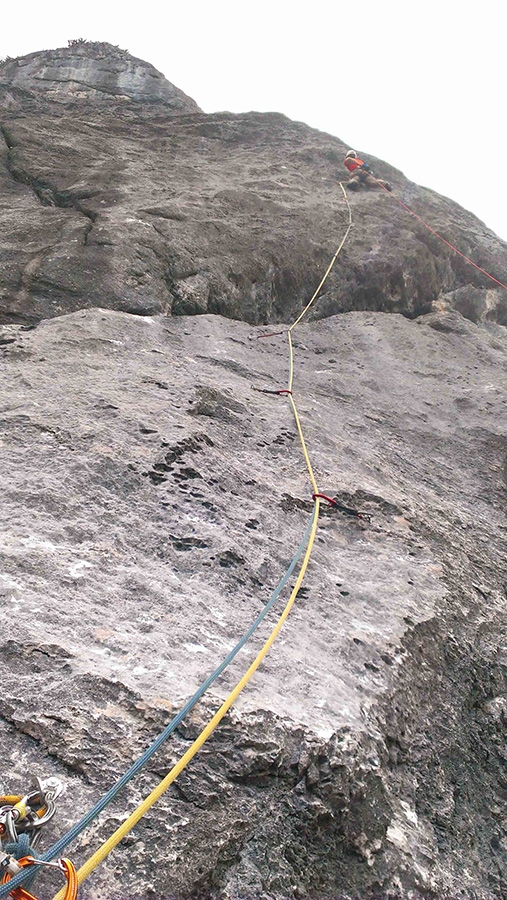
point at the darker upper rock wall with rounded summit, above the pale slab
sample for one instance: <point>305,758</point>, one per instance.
<point>116,191</point>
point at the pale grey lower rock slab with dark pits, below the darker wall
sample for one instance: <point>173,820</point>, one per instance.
<point>151,501</point>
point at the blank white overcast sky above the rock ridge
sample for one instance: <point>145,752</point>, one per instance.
<point>419,84</point>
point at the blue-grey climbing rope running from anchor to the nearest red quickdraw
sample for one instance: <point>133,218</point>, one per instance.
<point>57,848</point>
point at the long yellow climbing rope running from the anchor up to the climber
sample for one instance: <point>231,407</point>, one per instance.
<point>129,823</point>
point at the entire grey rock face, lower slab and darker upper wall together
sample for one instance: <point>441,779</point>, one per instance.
<point>151,500</point>
